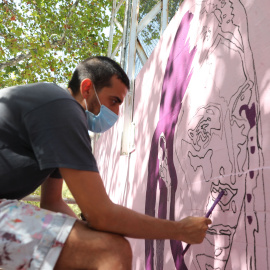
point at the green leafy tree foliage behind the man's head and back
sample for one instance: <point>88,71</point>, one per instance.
<point>43,40</point>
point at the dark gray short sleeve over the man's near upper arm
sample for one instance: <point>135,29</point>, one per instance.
<point>59,137</point>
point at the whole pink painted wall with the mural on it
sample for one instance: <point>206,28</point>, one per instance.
<point>201,111</point>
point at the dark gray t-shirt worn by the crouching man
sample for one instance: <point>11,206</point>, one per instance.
<point>42,128</point>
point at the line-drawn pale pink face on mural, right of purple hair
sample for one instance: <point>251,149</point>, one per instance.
<point>217,135</point>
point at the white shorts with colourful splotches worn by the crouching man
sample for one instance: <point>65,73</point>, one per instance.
<point>31,237</point>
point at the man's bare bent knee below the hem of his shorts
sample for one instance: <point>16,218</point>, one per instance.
<point>94,250</point>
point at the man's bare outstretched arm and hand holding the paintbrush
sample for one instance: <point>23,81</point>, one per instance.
<point>102,214</point>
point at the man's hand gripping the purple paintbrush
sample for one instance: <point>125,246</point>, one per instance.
<point>194,229</point>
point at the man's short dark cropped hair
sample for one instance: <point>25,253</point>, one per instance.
<point>99,69</point>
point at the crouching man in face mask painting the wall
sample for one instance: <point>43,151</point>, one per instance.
<point>43,140</point>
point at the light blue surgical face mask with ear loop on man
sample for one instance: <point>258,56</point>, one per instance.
<point>101,122</point>
